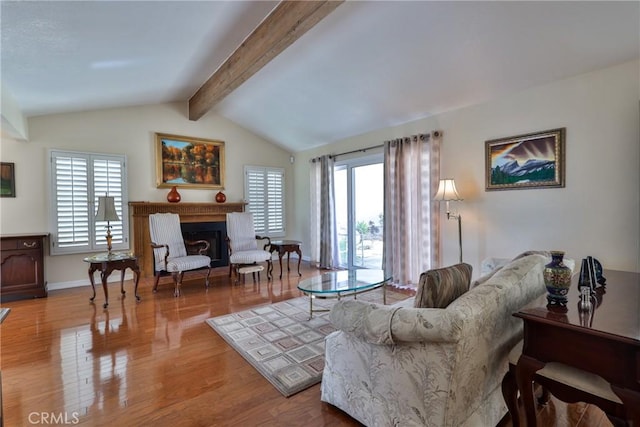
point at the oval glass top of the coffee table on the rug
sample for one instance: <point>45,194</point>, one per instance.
<point>344,281</point>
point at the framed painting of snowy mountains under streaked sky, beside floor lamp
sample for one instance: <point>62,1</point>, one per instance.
<point>534,160</point>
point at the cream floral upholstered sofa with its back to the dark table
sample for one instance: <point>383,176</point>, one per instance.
<point>404,366</point>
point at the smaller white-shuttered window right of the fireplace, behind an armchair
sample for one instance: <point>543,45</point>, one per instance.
<point>264,193</point>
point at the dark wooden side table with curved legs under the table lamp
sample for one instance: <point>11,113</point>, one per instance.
<point>106,263</point>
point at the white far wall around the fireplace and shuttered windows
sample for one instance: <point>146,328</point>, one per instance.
<point>129,131</point>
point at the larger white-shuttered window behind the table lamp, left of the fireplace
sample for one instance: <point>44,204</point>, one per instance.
<point>77,180</point>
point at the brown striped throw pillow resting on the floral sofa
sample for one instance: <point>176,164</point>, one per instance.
<point>440,287</point>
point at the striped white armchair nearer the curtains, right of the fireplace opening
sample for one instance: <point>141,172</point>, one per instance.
<point>243,243</point>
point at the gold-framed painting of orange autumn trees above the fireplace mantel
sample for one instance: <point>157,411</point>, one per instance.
<point>189,162</point>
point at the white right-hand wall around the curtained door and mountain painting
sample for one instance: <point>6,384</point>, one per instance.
<point>598,211</point>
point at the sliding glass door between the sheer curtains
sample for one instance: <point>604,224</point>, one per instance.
<point>359,190</point>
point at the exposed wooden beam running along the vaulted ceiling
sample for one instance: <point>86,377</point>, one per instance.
<point>288,21</point>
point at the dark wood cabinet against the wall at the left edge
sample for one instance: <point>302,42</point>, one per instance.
<point>22,266</point>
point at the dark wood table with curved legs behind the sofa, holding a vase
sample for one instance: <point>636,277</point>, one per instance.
<point>605,342</point>
